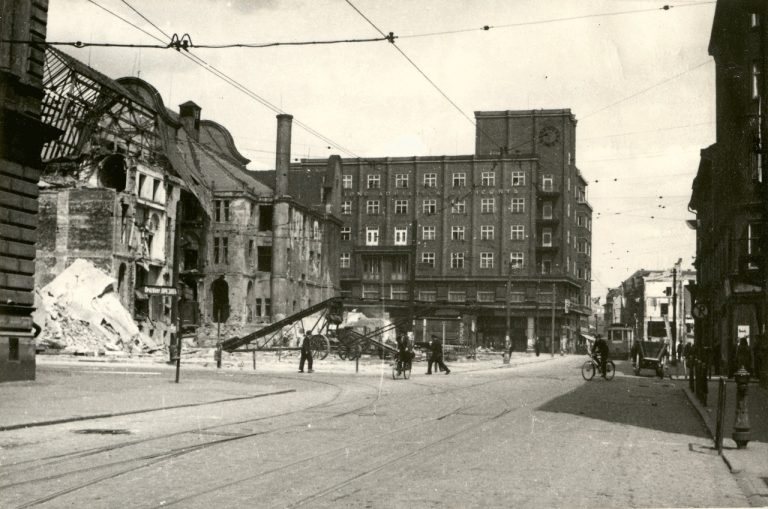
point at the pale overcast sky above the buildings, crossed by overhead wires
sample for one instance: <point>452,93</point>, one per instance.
<point>637,77</point>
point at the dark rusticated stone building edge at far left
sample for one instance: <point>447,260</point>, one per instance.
<point>21,135</point>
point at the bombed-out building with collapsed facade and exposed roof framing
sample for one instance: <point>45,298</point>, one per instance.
<point>159,198</point>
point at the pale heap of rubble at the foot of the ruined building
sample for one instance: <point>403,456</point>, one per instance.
<point>79,313</point>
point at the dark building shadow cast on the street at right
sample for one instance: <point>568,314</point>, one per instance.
<point>645,401</point>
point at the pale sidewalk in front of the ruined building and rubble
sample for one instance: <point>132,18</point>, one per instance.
<point>70,388</point>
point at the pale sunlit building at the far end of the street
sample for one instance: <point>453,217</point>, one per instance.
<point>648,305</point>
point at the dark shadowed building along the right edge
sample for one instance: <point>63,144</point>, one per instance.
<point>729,191</point>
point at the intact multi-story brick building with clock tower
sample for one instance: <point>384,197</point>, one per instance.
<point>514,212</point>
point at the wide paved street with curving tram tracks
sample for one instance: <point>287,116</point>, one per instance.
<point>537,435</point>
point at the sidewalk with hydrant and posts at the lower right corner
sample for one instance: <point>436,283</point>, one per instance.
<point>749,465</point>
